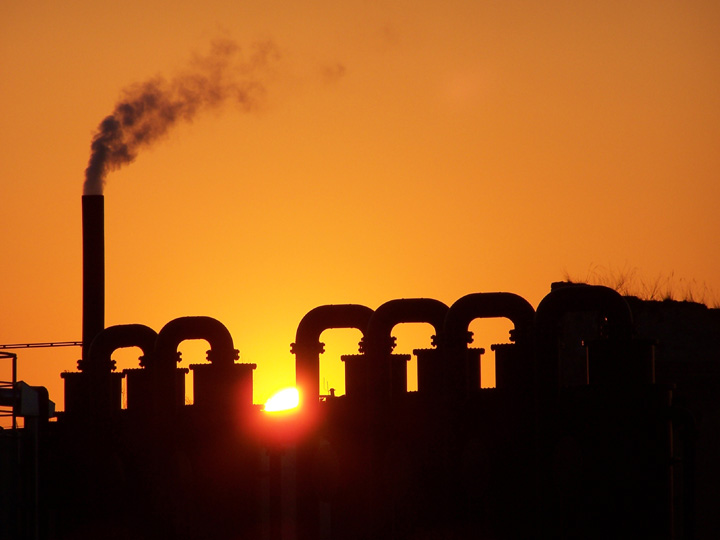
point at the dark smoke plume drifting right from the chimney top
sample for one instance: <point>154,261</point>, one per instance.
<point>147,111</point>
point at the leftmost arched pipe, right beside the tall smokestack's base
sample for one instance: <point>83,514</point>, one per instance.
<point>117,337</point>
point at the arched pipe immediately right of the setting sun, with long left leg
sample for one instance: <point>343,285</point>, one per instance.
<point>307,347</point>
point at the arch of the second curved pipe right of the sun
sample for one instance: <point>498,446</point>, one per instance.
<point>402,310</point>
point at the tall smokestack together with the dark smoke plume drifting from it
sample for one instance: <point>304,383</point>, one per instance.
<point>146,112</point>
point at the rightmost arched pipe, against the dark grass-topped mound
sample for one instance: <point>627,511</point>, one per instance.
<point>608,302</point>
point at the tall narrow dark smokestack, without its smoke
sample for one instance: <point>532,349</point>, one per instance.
<point>93,226</point>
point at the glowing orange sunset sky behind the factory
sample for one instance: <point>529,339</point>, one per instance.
<point>379,150</point>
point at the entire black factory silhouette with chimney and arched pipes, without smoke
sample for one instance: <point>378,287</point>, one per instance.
<point>602,425</point>
